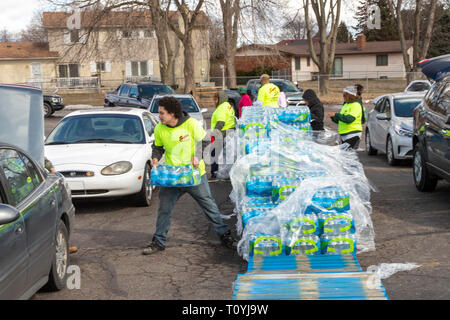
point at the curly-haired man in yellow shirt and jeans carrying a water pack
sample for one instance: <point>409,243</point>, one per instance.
<point>177,136</point>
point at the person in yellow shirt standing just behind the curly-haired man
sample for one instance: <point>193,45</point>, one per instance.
<point>222,119</point>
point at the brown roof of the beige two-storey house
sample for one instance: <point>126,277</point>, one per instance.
<point>58,19</point>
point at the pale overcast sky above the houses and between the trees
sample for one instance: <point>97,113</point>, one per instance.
<point>15,15</point>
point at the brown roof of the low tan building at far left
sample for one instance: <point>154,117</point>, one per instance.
<point>26,50</point>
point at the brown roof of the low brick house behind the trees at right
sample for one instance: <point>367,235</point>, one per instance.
<point>371,47</point>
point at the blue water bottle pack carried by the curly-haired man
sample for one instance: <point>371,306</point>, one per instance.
<point>175,176</point>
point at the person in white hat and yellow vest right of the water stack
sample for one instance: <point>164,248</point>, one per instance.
<point>349,118</point>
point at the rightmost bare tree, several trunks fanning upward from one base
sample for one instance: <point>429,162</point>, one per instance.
<point>421,43</point>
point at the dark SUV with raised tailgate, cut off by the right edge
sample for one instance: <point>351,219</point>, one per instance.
<point>431,139</point>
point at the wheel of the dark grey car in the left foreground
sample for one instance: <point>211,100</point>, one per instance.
<point>60,262</point>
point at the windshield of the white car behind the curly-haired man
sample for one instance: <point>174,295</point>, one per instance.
<point>96,128</point>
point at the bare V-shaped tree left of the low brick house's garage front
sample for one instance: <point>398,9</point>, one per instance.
<point>327,42</point>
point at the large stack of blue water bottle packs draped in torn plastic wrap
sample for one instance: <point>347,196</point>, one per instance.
<point>295,193</point>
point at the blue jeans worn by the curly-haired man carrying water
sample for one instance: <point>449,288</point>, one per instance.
<point>168,196</point>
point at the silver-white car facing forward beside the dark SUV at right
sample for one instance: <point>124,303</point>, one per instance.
<point>389,126</point>
